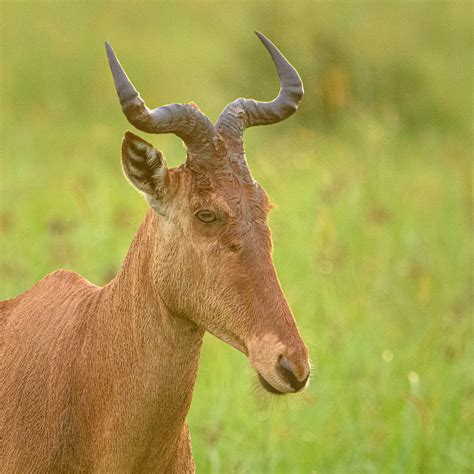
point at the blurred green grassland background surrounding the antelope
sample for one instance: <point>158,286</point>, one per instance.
<point>371,181</point>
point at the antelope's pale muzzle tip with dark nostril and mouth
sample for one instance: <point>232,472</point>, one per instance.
<point>280,369</point>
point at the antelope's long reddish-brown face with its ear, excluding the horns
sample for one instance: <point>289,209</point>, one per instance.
<point>213,259</point>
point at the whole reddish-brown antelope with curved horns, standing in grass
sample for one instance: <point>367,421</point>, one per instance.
<point>100,379</point>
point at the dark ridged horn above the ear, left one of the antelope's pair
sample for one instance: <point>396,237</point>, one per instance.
<point>184,120</point>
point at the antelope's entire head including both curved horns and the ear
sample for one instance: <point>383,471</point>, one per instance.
<point>213,250</point>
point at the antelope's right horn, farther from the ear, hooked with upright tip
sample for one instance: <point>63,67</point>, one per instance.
<point>244,113</point>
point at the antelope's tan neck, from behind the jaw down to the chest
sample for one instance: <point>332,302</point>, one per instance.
<point>148,356</point>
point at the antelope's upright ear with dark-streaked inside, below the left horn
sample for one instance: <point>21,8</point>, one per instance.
<point>145,167</point>
